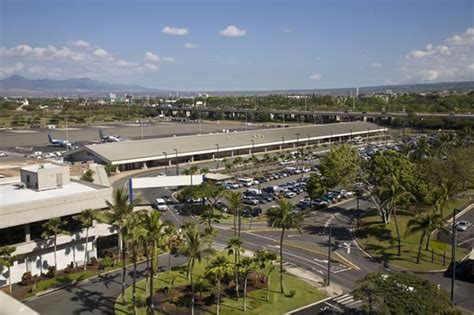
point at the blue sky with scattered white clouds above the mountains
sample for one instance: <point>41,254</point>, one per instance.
<point>239,45</point>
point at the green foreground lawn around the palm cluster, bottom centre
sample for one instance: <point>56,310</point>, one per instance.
<point>256,304</point>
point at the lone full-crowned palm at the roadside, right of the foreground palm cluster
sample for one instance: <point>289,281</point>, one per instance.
<point>282,217</point>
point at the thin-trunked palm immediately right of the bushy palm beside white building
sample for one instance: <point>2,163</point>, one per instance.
<point>137,234</point>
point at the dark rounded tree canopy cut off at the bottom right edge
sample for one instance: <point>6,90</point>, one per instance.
<point>401,293</point>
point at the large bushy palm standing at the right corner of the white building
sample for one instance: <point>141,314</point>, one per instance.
<point>117,215</point>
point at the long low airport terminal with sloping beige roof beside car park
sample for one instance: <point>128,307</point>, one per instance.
<point>128,155</point>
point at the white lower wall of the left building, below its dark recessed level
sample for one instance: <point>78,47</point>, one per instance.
<point>38,255</point>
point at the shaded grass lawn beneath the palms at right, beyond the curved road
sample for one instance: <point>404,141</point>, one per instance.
<point>380,240</point>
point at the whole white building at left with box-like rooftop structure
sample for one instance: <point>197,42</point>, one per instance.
<point>46,191</point>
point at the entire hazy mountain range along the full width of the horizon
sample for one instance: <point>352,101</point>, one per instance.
<point>17,85</point>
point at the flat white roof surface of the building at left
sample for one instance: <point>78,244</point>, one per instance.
<point>11,195</point>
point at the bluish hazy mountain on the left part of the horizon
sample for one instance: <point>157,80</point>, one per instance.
<point>19,85</point>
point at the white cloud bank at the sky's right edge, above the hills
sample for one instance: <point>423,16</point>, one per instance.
<point>448,60</point>
